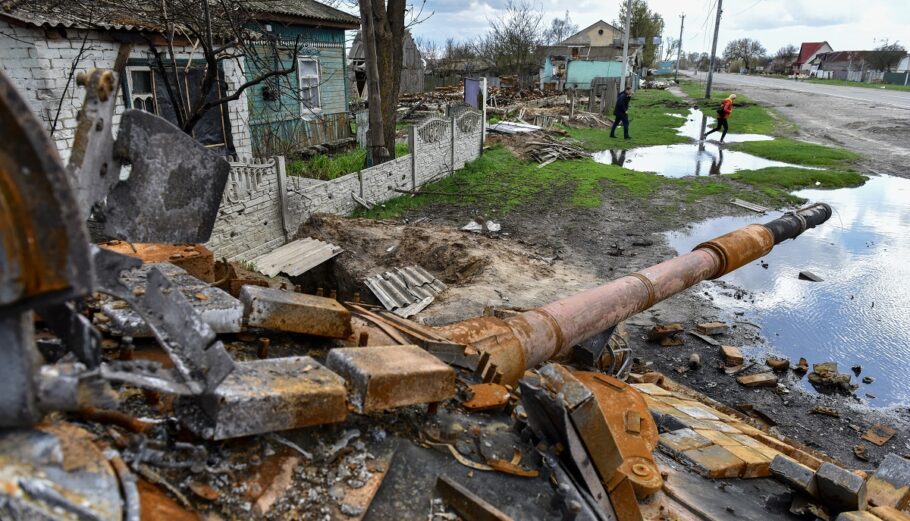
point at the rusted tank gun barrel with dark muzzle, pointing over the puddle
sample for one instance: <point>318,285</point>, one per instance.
<point>530,338</point>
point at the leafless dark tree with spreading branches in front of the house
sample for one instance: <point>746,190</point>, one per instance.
<point>216,31</point>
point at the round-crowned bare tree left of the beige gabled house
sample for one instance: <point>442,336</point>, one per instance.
<point>514,38</point>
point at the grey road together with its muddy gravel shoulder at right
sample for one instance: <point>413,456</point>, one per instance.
<point>872,122</point>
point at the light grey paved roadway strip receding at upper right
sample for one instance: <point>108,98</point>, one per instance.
<point>893,98</point>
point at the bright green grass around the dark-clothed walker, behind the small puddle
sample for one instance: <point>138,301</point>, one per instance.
<point>649,123</point>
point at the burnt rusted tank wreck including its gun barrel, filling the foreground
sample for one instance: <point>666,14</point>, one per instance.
<point>152,390</point>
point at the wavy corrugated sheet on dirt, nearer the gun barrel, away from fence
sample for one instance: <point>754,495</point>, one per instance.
<point>405,291</point>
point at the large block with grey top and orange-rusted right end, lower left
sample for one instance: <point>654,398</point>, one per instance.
<point>268,395</point>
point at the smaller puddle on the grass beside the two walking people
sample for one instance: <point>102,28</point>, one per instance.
<point>696,158</point>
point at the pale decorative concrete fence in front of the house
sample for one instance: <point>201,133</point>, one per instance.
<point>262,206</point>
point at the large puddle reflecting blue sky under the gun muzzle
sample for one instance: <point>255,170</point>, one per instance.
<point>858,313</point>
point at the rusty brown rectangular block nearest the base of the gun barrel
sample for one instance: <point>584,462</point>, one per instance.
<point>385,377</point>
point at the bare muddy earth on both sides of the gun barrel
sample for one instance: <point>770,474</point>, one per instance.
<point>547,250</point>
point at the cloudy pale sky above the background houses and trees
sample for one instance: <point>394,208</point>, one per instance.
<point>845,24</point>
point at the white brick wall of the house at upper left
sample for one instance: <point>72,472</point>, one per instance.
<point>39,64</point>
